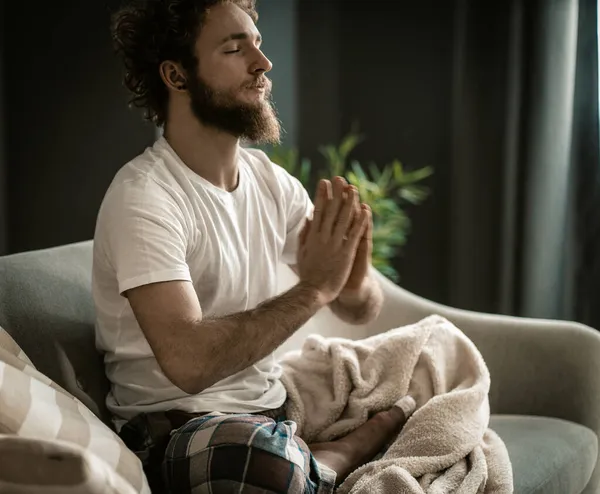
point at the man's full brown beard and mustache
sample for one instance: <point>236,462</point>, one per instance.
<point>254,122</point>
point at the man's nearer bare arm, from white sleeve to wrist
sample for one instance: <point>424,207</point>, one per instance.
<point>196,352</point>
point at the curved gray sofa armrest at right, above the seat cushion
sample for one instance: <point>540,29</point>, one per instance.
<point>537,367</point>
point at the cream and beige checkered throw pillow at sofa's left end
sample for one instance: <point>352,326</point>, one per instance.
<point>34,407</point>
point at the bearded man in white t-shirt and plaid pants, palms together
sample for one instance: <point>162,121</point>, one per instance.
<point>187,244</point>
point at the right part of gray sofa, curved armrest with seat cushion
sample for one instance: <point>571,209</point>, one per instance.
<point>545,389</point>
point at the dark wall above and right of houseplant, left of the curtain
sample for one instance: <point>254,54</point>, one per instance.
<point>388,66</point>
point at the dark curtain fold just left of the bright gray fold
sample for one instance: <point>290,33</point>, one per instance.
<point>478,157</point>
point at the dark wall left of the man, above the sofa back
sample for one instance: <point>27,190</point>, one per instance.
<point>68,125</point>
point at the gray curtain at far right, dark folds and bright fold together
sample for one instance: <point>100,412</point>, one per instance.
<point>525,87</point>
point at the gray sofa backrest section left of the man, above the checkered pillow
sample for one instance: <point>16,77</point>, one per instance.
<point>46,305</point>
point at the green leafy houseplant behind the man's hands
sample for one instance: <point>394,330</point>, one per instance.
<point>386,189</point>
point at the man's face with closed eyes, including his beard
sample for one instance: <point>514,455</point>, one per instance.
<point>230,90</point>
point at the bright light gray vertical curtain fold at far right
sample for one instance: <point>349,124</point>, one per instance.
<point>548,159</point>
